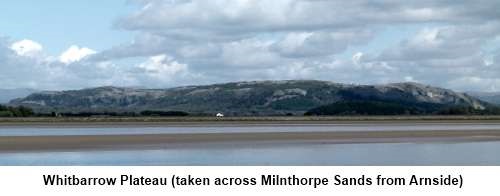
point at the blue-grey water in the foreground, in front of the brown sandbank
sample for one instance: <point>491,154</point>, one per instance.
<point>475,153</point>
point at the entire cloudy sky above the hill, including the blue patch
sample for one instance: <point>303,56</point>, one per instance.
<point>60,44</point>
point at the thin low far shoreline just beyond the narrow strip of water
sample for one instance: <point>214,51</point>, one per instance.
<point>164,121</point>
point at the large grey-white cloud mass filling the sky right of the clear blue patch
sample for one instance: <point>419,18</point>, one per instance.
<point>287,39</point>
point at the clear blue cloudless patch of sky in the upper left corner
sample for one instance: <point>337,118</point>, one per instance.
<point>58,24</point>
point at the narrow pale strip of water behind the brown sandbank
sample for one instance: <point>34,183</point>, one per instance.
<point>233,128</point>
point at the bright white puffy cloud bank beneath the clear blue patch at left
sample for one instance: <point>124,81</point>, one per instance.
<point>24,64</point>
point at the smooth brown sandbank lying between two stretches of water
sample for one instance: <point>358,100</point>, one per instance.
<point>46,143</point>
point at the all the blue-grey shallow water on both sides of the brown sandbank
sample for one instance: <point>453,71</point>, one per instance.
<point>262,153</point>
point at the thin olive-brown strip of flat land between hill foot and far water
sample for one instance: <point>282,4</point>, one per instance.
<point>301,119</point>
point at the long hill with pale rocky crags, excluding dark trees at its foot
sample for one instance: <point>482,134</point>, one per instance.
<point>247,98</point>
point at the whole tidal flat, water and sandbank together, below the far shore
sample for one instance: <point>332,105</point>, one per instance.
<point>253,144</point>
